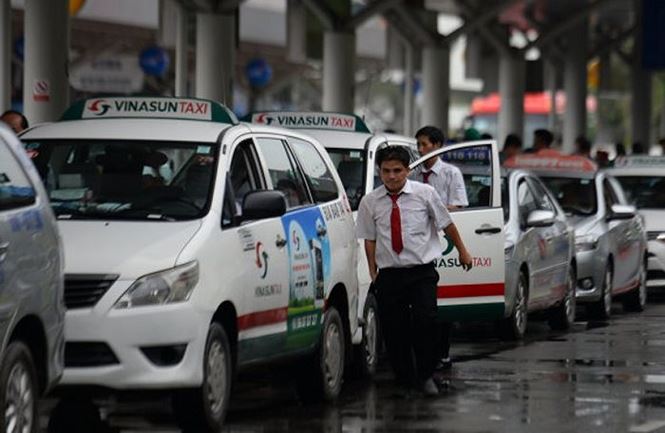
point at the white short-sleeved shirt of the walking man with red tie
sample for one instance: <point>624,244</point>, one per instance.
<point>422,215</point>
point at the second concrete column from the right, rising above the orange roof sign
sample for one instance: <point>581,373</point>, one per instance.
<point>574,83</point>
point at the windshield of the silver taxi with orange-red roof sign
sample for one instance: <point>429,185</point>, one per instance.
<point>576,196</point>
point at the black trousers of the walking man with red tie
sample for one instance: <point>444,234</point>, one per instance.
<point>407,310</point>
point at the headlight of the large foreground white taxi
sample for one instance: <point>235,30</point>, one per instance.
<point>165,287</point>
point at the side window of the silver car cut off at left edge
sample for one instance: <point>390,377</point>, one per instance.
<point>15,187</point>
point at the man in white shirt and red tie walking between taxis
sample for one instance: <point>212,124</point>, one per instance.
<point>399,222</point>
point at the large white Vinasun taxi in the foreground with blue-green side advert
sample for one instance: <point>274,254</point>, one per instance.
<point>194,246</point>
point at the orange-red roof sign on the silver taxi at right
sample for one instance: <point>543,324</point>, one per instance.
<point>551,160</point>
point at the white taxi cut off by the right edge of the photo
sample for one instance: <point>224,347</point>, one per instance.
<point>643,181</point>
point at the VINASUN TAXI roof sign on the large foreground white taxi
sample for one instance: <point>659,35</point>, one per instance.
<point>139,107</point>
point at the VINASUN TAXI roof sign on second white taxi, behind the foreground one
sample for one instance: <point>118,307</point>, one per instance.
<point>309,120</point>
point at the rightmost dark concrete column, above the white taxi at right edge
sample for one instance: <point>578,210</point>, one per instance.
<point>641,91</point>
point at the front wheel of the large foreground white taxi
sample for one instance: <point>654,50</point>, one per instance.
<point>204,408</point>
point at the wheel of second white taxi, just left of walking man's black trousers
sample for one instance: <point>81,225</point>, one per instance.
<point>366,354</point>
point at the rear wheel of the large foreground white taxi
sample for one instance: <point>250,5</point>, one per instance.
<point>322,376</point>
